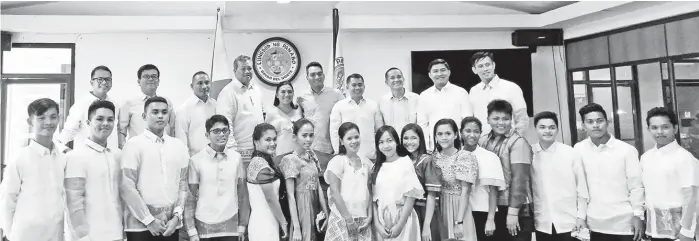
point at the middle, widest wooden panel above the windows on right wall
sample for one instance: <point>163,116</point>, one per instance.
<point>638,44</point>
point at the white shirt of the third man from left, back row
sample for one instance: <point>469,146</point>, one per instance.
<point>191,120</point>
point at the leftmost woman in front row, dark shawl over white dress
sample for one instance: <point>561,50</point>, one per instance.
<point>264,178</point>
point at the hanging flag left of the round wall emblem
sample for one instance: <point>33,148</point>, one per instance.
<point>221,65</point>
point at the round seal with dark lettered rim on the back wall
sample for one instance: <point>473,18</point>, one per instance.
<point>276,60</point>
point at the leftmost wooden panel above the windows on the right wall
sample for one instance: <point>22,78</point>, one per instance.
<point>586,53</point>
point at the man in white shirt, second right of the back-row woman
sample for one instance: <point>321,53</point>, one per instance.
<point>359,110</point>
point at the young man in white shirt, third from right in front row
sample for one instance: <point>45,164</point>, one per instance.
<point>559,185</point>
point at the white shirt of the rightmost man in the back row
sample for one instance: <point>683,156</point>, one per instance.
<point>482,94</point>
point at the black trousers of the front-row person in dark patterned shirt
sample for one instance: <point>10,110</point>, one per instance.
<point>526,225</point>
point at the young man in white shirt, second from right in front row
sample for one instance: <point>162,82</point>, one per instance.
<point>615,210</point>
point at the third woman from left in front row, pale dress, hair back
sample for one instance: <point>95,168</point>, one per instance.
<point>350,201</point>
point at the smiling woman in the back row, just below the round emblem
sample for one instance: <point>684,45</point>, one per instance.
<point>282,116</point>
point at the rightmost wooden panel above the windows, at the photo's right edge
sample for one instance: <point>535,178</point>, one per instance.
<point>683,36</point>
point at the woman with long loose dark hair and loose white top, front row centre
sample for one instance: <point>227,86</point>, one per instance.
<point>395,187</point>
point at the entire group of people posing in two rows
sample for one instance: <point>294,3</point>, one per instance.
<point>446,164</point>
